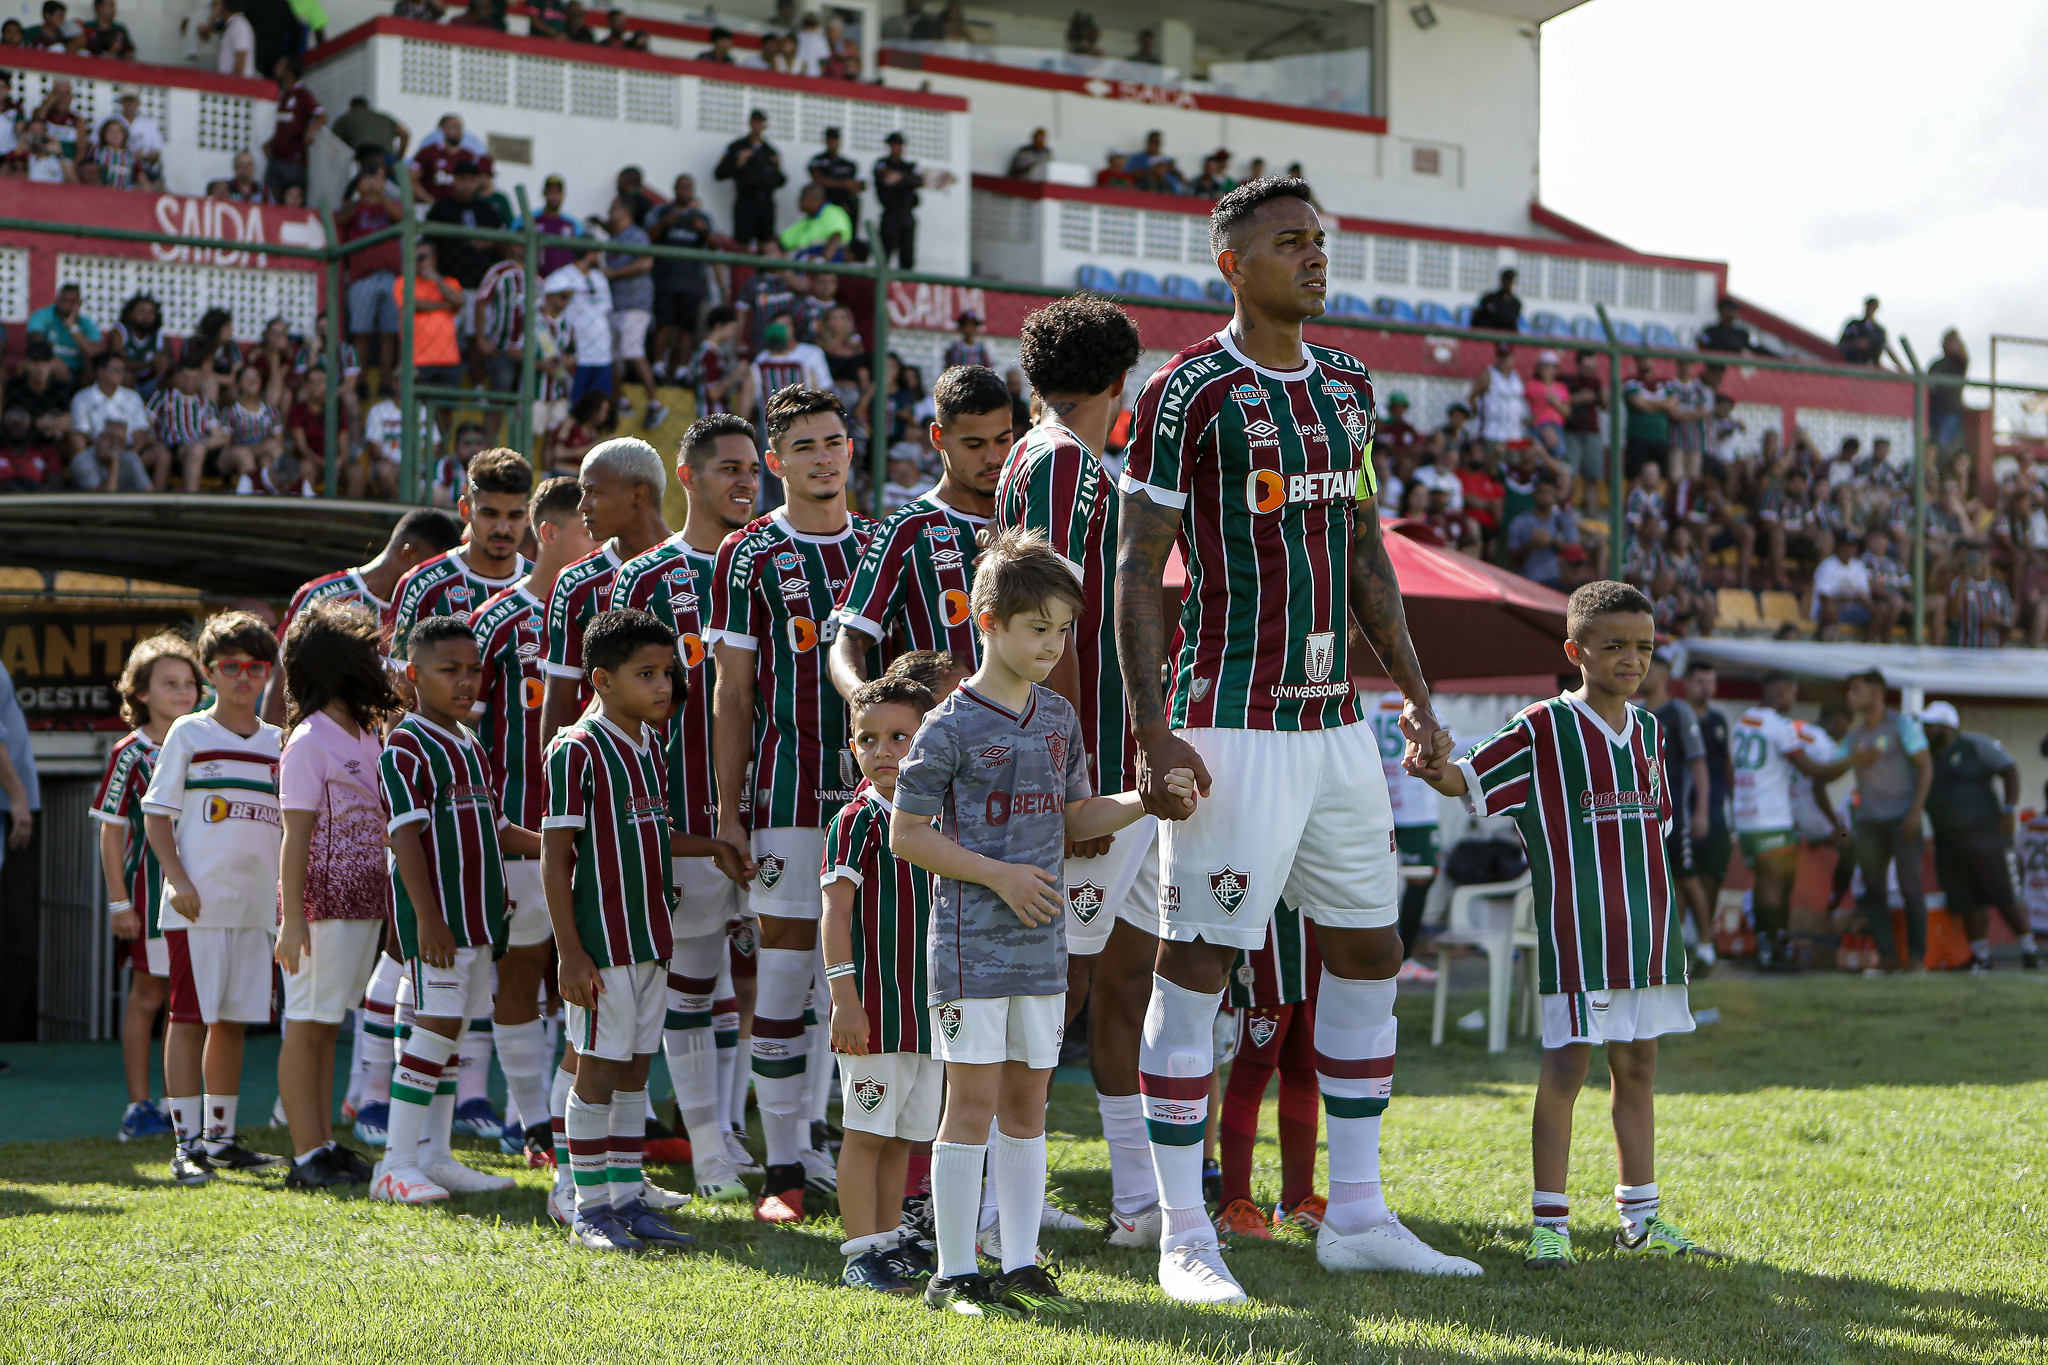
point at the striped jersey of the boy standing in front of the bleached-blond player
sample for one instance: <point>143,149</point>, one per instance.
<point>609,791</point>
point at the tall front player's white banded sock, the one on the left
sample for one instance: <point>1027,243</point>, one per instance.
<point>1177,1061</point>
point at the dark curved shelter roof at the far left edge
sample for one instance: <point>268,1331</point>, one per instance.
<point>232,547</point>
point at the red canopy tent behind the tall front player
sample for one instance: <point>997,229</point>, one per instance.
<point>1467,617</point>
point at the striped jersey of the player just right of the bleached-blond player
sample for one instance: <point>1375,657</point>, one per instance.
<point>673,584</point>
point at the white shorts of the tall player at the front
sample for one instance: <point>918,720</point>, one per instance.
<point>1291,813</point>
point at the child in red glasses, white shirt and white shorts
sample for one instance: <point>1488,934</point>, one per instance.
<point>214,826</point>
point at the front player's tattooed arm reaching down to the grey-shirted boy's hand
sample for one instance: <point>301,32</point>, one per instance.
<point>1144,541</point>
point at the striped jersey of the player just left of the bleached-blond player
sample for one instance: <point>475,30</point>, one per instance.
<point>511,699</point>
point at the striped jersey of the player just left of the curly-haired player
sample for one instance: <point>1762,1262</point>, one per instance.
<point>910,590</point>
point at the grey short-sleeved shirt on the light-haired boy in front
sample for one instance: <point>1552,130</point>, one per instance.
<point>998,785</point>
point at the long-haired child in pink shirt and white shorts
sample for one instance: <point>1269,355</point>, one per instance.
<point>335,889</point>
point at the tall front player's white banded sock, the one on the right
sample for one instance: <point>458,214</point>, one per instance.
<point>1355,1067</point>
